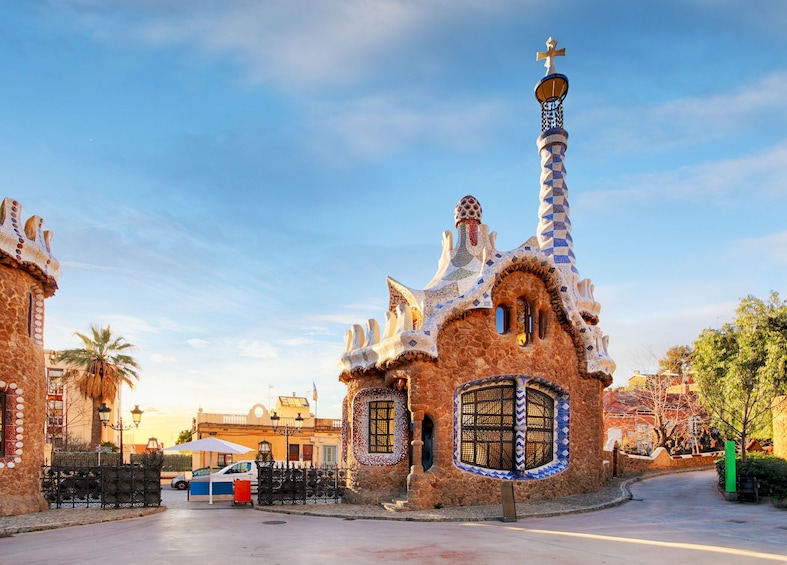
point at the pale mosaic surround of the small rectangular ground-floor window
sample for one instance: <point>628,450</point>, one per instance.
<point>360,429</point>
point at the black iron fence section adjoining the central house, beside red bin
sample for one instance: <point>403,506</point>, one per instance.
<point>282,484</point>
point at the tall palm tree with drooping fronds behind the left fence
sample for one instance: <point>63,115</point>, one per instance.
<point>99,370</point>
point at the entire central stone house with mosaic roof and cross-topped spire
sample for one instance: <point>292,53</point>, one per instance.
<point>494,371</point>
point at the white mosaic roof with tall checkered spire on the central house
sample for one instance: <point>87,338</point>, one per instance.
<point>470,266</point>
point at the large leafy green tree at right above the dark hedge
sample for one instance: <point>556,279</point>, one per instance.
<point>741,367</point>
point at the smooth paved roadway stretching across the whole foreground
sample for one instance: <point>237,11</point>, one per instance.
<point>679,518</point>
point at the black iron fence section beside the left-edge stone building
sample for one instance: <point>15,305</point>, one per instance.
<point>116,485</point>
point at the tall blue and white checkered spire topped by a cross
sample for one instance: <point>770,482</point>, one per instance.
<point>554,225</point>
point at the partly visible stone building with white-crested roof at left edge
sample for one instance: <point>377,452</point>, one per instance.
<point>28,274</point>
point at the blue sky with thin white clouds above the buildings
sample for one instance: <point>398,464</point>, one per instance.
<point>229,184</point>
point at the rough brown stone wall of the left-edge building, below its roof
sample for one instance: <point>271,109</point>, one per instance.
<point>23,380</point>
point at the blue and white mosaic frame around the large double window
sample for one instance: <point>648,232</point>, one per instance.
<point>562,429</point>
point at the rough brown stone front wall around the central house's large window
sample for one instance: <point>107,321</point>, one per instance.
<point>469,349</point>
